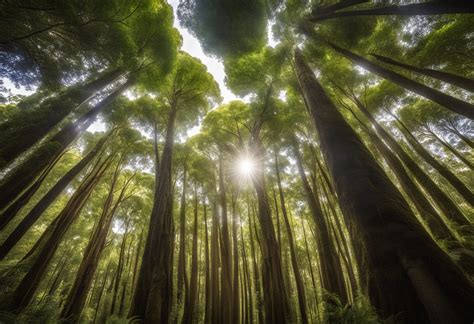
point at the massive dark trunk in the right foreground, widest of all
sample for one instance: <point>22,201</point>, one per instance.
<point>402,257</point>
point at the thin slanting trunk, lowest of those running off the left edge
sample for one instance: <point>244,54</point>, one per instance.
<point>34,214</point>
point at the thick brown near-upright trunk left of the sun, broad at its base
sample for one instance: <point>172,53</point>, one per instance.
<point>153,293</point>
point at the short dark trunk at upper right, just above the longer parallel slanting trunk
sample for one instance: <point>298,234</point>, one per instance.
<point>459,81</point>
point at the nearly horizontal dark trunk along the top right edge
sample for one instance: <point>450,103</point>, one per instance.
<point>416,9</point>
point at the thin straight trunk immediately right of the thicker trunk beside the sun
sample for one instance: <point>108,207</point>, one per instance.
<point>294,262</point>
